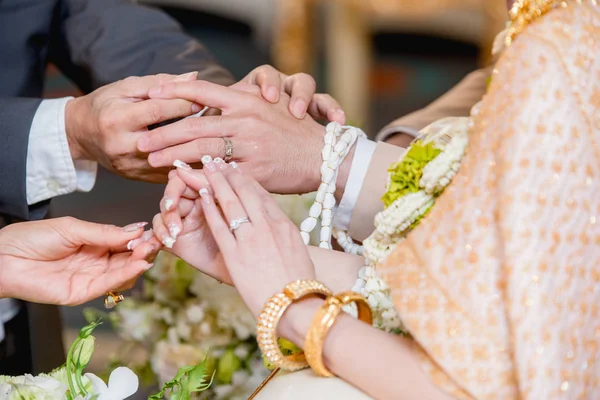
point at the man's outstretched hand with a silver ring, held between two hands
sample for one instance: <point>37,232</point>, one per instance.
<point>280,151</point>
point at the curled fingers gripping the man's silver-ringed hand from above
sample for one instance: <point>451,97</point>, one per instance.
<point>301,87</point>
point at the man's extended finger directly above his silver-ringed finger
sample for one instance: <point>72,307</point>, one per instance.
<point>187,130</point>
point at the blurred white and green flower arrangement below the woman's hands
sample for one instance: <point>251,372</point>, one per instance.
<point>183,317</point>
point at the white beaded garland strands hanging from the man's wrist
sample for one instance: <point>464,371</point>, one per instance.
<point>338,141</point>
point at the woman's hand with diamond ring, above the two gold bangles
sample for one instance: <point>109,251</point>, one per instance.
<point>262,255</point>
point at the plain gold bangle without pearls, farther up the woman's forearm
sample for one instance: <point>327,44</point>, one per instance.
<point>324,320</point>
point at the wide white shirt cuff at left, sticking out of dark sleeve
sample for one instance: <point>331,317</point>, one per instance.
<point>51,171</point>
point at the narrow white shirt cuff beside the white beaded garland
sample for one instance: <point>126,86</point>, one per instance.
<point>358,170</point>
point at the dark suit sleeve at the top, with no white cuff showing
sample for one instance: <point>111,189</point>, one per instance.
<point>100,42</point>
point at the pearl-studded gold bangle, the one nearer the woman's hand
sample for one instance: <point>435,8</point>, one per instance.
<point>271,315</point>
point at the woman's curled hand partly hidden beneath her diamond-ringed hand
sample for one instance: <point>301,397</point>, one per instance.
<point>182,228</point>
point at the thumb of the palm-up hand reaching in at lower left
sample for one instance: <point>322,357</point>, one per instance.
<point>110,236</point>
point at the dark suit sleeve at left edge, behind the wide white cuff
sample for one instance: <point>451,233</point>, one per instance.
<point>16,117</point>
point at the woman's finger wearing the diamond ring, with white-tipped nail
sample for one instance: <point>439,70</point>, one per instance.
<point>224,194</point>
